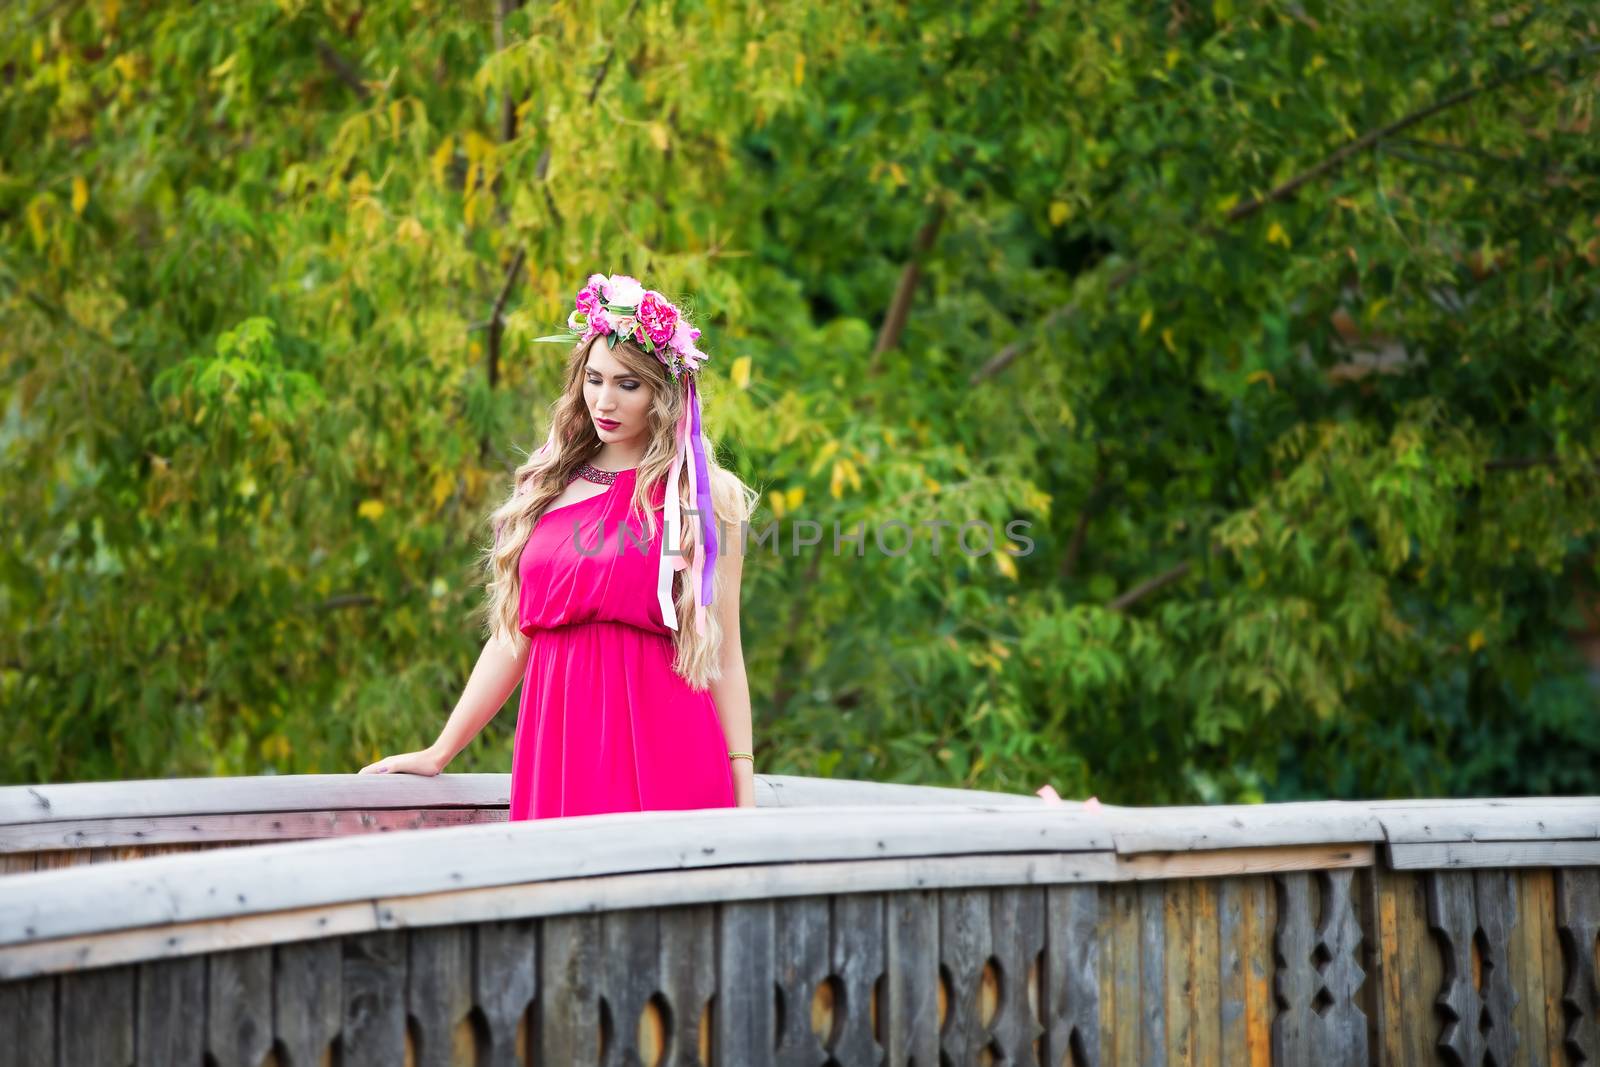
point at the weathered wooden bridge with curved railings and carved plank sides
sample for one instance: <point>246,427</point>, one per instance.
<point>310,921</point>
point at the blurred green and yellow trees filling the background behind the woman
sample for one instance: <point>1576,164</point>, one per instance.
<point>1278,322</point>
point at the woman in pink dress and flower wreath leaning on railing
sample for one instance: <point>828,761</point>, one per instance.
<point>614,586</point>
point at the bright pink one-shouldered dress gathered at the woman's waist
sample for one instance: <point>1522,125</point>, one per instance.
<point>604,722</point>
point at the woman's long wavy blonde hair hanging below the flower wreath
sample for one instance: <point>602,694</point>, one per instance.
<point>540,481</point>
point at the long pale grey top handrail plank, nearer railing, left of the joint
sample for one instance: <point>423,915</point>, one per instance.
<point>238,882</point>
